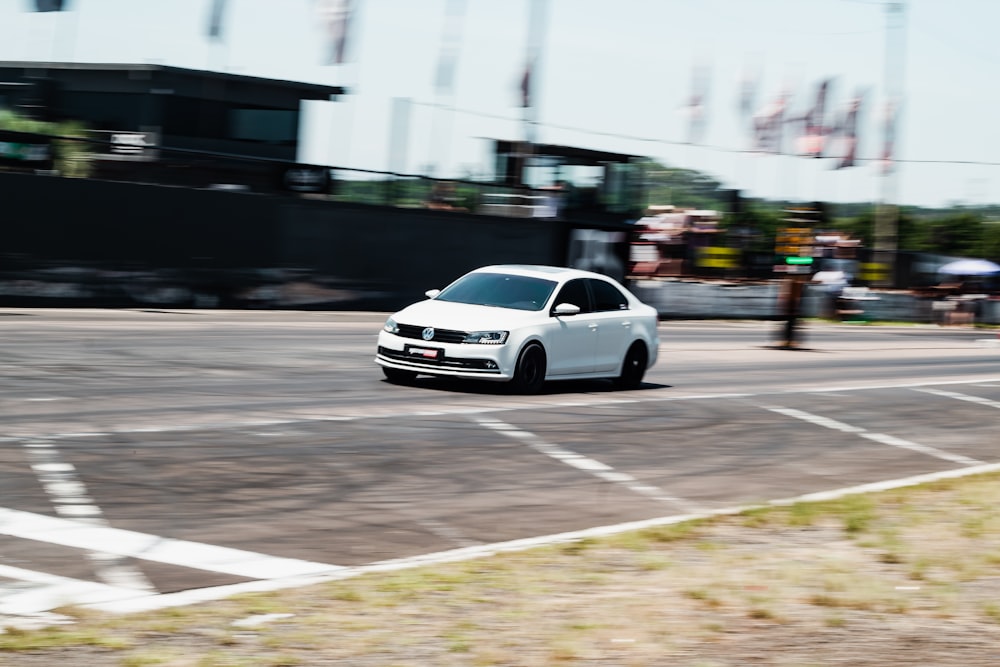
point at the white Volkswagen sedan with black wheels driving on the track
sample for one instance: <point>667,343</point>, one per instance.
<point>523,325</point>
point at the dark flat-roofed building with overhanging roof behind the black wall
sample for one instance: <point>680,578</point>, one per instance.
<point>188,115</point>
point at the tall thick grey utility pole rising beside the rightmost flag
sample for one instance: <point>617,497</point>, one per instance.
<point>887,212</point>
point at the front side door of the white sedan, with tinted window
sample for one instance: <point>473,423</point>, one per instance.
<point>573,340</point>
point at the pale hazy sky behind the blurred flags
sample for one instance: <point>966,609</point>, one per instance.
<point>609,75</point>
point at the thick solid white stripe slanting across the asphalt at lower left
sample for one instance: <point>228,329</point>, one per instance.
<point>143,546</point>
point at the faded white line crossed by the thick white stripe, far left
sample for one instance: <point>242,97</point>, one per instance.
<point>69,497</point>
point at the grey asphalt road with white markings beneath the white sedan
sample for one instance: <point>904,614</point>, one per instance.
<point>147,453</point>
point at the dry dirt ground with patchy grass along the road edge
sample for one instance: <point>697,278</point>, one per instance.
<point>909,577</point>
